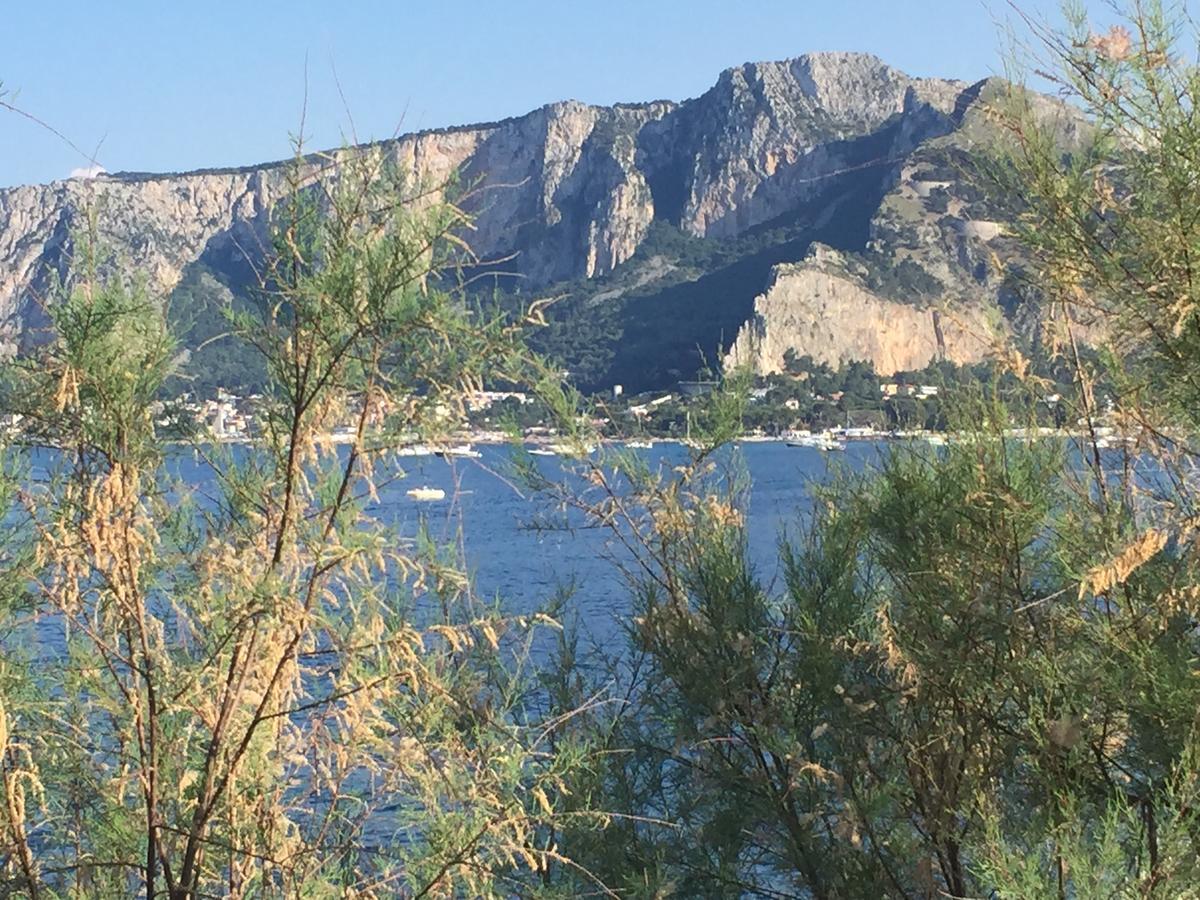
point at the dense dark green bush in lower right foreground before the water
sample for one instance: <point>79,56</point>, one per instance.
<point>920,703</point>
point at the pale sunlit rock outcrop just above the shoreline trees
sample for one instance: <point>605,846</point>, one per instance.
<point>823,309</point>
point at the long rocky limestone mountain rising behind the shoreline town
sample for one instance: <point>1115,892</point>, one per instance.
<point>823,205</point>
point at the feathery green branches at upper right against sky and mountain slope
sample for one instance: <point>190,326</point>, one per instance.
<point>1109,220</point>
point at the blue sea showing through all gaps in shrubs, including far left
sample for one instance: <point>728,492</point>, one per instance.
<point>524,553</point>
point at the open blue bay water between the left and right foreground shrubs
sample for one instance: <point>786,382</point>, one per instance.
<point>525,566</point>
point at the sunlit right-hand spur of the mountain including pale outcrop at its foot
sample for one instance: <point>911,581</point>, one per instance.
<point>937,278</point>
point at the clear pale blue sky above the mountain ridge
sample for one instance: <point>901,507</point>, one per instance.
<point>179,85</point>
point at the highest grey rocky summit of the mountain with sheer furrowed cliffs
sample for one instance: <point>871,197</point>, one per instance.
<point>770,136</point>
